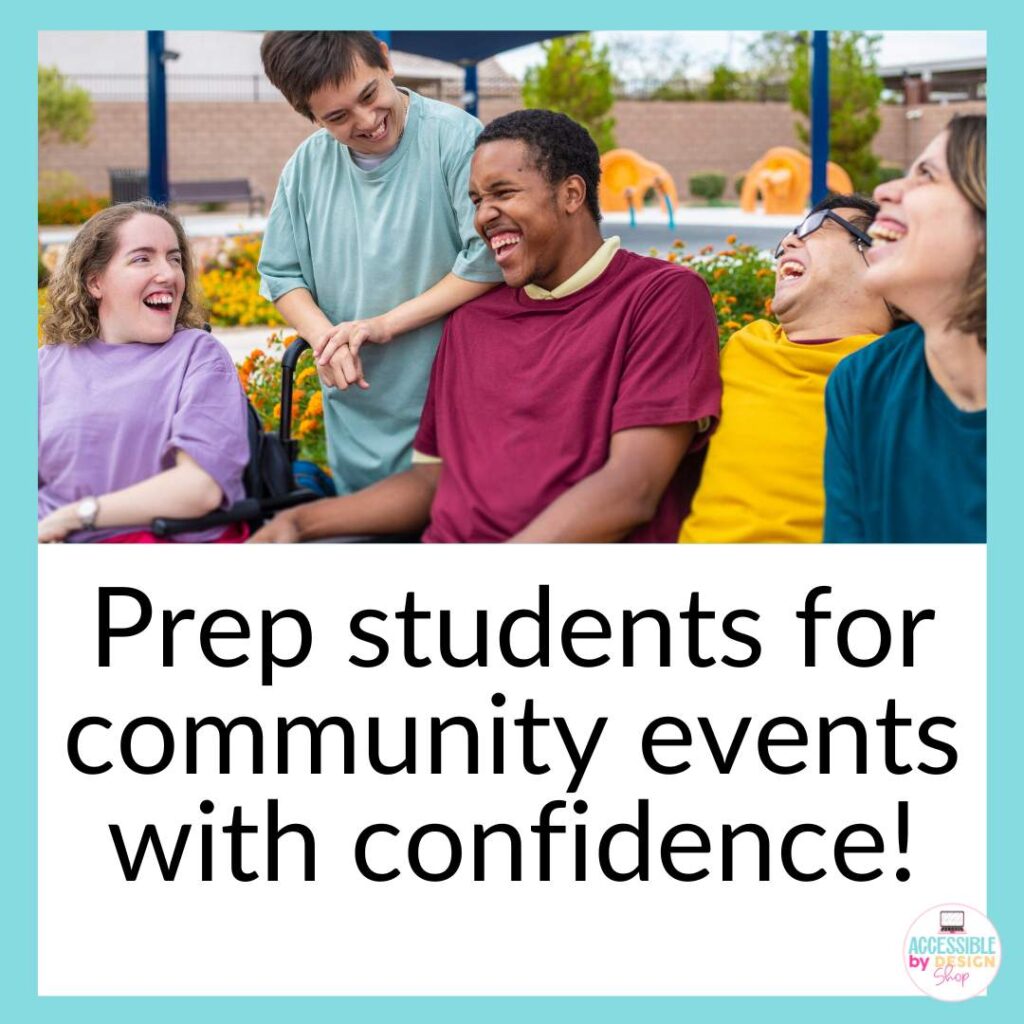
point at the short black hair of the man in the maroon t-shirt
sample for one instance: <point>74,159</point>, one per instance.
<point>560,147</point>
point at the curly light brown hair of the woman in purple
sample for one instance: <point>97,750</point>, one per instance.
<point>74,315</point>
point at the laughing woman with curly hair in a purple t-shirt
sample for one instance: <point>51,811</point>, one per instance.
<point>141,411</point>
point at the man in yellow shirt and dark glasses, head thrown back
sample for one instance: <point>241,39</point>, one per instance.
<point>762,480</point>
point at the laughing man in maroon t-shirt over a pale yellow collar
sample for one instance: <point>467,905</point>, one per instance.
<point>564,407</point>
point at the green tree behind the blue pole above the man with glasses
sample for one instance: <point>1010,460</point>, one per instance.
<point>856,91</point>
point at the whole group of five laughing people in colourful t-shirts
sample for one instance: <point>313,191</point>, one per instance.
<point>494,368</point>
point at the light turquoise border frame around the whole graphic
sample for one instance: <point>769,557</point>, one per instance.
<point>18,603</point>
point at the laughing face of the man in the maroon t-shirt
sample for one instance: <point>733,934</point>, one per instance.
<point>522,217</point>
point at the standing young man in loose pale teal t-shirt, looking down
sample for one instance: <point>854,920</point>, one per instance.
<point>370,239</point>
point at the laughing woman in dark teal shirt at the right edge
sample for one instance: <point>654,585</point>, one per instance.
<point>906,448</point>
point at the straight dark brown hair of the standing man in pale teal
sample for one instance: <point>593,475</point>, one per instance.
<point>301,64</point>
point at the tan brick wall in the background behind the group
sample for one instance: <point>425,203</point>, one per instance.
<point>254,141</point>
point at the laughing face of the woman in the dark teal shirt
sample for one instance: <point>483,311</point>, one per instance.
<point>926,238</point>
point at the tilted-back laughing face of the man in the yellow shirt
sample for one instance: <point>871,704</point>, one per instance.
<point>821,273</point>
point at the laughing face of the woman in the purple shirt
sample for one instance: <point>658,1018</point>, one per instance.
<point>140,292</point>
